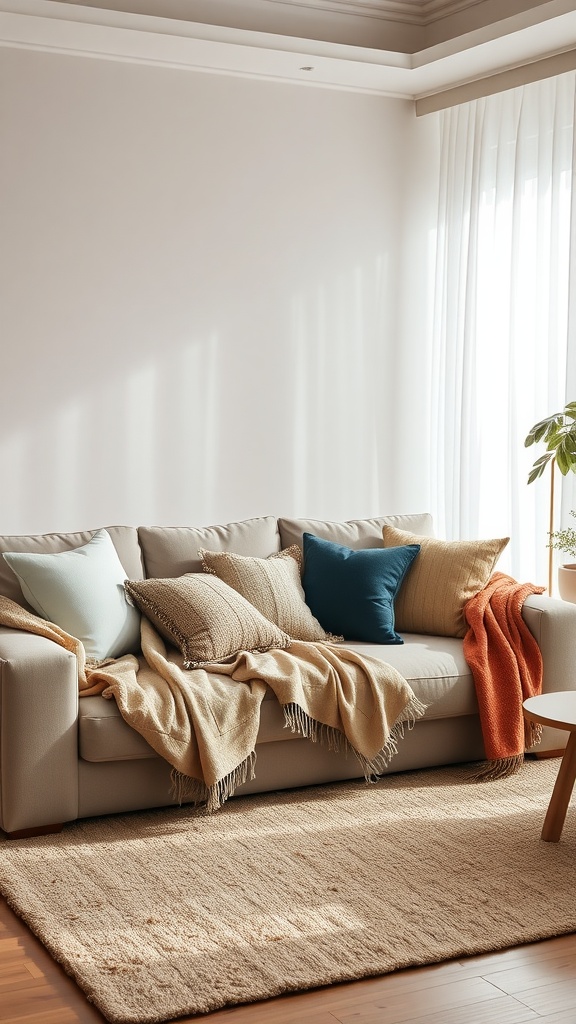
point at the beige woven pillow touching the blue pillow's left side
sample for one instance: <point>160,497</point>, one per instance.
<point>272,585</point>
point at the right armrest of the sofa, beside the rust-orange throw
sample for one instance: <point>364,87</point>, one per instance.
<point>553,623</point>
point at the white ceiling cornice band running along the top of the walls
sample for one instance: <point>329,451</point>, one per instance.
<point>56,27</point>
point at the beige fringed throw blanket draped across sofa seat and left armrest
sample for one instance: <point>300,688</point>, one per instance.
<point>205,721</point>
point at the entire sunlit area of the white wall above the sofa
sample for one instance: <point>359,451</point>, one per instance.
<point>270,414</point>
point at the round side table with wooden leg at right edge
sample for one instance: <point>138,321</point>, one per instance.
<point>558,710</point>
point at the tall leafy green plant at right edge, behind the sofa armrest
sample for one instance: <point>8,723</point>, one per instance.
<point>558,433</point>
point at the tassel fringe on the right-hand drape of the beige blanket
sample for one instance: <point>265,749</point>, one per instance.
<point>299,721</point>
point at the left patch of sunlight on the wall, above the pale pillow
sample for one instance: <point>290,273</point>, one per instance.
<point>138,449</point>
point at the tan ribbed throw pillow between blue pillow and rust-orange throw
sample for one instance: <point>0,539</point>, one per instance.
<point>441,580</point>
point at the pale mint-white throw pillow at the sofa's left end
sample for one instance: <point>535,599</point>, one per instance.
<point>83,591</point>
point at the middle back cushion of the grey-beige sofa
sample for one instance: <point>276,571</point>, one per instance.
<point>172,551</point>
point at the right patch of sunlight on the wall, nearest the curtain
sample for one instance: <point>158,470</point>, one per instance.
<point>338,346</point>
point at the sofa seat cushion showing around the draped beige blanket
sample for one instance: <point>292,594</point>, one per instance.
<point>435,667</point>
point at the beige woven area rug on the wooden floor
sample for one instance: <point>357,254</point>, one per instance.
<point>162,914</point>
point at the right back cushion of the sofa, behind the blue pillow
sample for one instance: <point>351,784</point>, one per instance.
<point>353,533</point>
